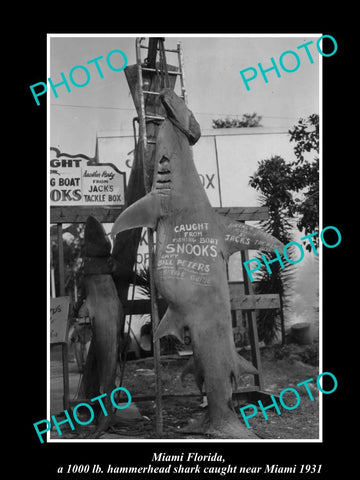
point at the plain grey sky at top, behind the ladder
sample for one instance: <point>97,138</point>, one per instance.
<point>214,85</point>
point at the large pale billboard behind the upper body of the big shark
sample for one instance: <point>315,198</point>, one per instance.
<point>224,158</point>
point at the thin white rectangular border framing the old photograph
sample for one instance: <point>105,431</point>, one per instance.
<point>204,440</point>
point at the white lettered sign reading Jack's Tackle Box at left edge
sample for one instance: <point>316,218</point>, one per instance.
<point>73,181</point>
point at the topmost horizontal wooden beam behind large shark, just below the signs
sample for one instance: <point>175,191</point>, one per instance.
<point>79,214</point>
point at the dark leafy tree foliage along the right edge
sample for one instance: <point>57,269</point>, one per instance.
<point>290,190</point>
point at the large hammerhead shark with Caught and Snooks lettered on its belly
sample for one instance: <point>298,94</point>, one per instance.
<point>193,244</point>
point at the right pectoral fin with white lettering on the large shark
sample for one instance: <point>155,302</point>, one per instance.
<point>239,236</point>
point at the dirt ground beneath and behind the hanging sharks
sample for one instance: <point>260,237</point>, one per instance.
<point>283,367</point>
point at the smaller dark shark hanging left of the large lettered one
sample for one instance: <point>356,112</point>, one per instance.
<point>105,310</point>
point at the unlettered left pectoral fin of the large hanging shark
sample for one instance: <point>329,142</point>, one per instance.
<point>143,213</point>
